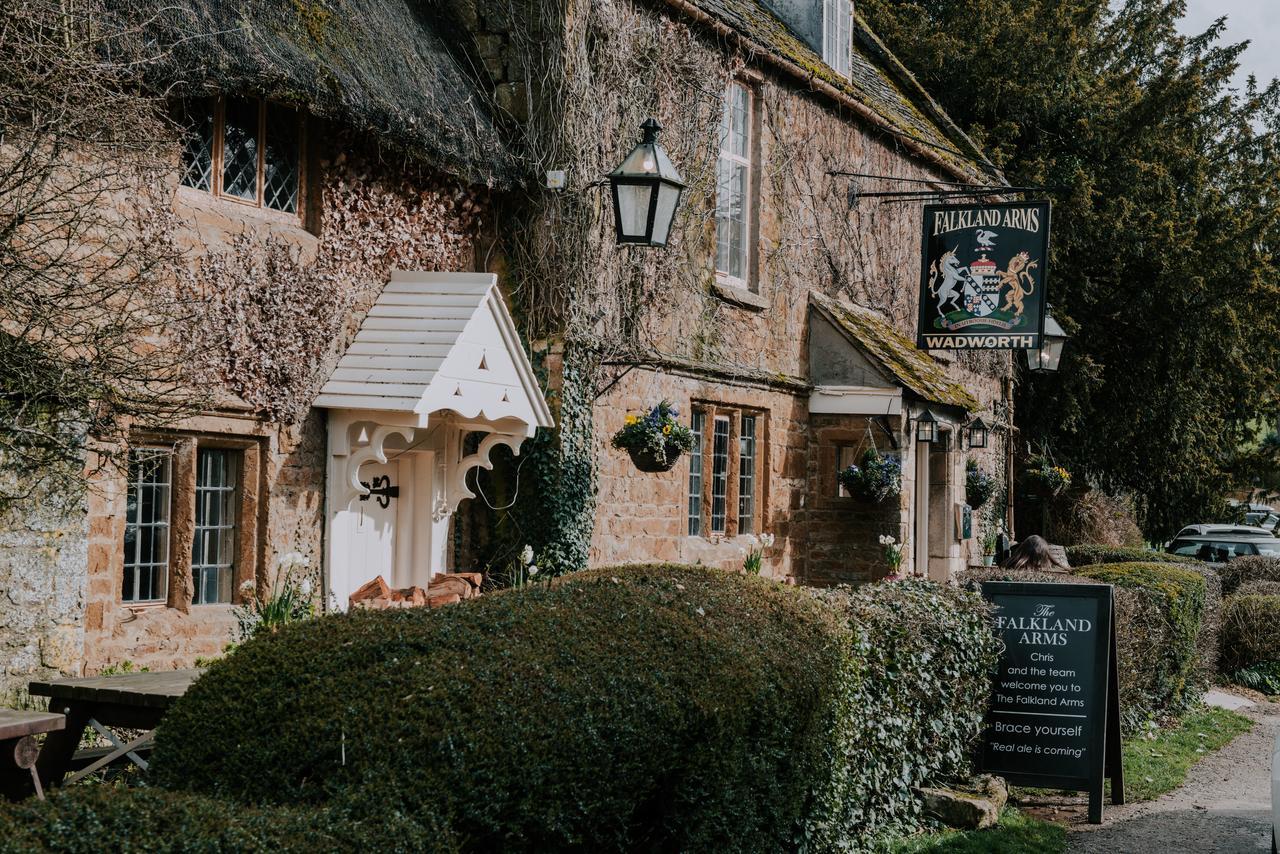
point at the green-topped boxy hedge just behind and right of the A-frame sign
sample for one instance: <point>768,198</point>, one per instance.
<point>1159,634</point>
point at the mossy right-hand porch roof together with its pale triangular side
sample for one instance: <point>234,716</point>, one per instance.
<point>879,346</point>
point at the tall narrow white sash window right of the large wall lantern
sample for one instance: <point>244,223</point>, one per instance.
<point>733,189</point>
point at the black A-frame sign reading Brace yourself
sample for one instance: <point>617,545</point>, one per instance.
<point>1055,706</point>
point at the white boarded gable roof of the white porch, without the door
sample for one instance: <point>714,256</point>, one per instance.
<point>440,342</point>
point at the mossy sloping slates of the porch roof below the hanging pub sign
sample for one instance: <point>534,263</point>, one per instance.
<point>895,354</point>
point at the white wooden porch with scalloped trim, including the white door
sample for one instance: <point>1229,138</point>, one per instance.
<point>437,359</point>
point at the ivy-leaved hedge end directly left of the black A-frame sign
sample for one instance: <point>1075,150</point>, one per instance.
<point>930,655</point>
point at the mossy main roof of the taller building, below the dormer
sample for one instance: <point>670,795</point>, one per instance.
<point>877,80</point>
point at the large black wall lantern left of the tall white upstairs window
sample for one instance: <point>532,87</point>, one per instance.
<point>647,191</point>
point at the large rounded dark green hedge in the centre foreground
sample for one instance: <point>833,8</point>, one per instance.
<point>653,707</point>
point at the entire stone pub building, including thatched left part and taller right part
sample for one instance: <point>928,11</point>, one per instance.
<point>397,305</point>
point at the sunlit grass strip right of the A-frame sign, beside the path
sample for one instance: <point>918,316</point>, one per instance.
<point>1160,765</point>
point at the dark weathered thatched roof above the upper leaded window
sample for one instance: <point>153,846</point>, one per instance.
<point>383,67</point>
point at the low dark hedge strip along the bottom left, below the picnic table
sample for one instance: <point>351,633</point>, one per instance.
<point>89,820</point>
